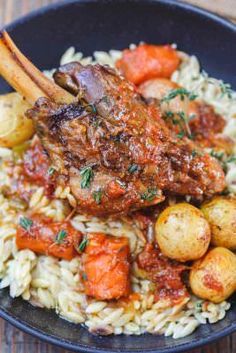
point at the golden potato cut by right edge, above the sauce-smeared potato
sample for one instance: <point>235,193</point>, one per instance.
<point>221,215</point>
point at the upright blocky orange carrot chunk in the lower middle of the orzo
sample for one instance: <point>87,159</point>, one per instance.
<point>106,267</point>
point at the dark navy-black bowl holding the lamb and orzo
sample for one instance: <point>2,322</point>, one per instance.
<point>101,25</point>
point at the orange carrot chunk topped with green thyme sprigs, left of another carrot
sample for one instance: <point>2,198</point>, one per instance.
<point>43,236</point>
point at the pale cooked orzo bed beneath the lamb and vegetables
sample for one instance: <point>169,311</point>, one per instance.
<point>56,284</point>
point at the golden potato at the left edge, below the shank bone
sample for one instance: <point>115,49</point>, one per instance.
<point>15,128</point>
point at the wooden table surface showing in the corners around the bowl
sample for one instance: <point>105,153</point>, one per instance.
<point>15,341</point>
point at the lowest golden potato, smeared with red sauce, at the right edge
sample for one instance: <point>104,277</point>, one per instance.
<point>214,276</point>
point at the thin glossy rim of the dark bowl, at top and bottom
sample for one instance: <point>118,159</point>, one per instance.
<point>78,347</point>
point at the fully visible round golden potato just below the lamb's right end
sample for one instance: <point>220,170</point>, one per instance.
<point>182,232</point>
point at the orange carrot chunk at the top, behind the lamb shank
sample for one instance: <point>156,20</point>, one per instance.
<point>148,61</point>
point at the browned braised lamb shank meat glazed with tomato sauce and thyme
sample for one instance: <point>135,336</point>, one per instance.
<point>112,149</point>
